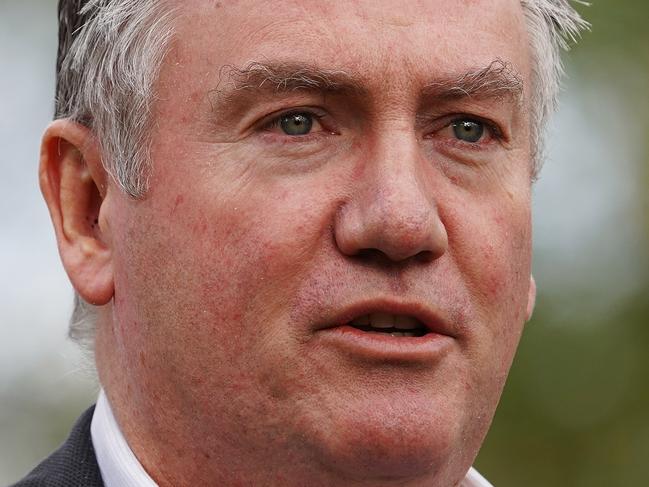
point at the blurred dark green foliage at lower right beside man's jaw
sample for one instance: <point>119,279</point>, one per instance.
<point>574,412</point>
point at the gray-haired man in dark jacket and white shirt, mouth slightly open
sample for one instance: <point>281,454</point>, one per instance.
<point>299,233</point>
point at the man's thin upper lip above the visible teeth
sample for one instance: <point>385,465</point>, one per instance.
<point>427,315</point>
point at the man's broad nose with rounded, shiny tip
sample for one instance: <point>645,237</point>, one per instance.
<point>392,207</point>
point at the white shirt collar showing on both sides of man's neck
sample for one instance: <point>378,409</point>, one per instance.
<point>120,468</point>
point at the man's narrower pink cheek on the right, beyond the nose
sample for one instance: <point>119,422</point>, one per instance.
<point>491,245</point>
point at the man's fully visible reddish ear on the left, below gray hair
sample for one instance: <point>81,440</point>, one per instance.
<point>73,183</point>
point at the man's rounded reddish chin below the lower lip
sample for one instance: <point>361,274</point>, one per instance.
<point>418,447</point>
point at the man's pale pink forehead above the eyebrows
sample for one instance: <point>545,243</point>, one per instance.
<point>386,40</point>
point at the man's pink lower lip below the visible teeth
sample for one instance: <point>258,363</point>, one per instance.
<point>383,346</point>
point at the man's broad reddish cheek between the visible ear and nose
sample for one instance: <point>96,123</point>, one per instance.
<point>221,263</point>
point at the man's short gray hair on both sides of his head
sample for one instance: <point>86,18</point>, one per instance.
<point>111,51</point>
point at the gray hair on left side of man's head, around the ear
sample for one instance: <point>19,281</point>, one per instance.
<point>110,53</point>
